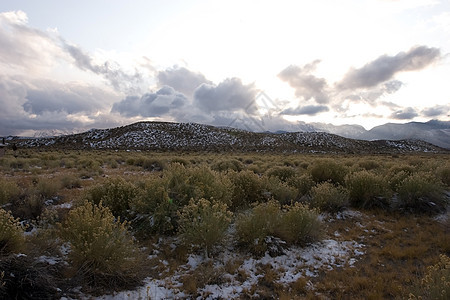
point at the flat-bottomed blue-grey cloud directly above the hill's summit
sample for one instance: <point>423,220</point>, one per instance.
<point>163,102</point>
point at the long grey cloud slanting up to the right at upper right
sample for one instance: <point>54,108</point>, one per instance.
<point>385,67</point>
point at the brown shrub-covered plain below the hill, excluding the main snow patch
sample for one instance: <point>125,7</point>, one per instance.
<point>101,221</point>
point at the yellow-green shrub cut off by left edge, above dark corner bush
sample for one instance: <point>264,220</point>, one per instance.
<point>11,234</point>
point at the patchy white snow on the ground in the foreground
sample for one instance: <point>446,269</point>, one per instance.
<point>295,263</point>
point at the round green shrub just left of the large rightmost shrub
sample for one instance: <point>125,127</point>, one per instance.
<point>367,190</point>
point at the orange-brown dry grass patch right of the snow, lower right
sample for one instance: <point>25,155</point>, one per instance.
<point>398,250</point>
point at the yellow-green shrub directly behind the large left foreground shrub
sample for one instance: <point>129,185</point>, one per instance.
<point>115,193</point>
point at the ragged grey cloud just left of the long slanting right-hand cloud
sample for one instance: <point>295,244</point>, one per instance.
<point>306,85</point>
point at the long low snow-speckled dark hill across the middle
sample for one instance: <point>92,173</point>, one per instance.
<point>162,136</point>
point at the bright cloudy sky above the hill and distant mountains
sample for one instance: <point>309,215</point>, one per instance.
<point>69,66</point>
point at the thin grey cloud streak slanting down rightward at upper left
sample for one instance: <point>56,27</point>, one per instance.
<point>111,71</point>
